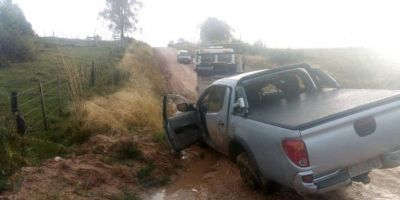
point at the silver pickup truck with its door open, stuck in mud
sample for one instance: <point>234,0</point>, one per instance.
<point>292,126</point>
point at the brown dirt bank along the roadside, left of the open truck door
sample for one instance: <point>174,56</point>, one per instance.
<point>97,173</point>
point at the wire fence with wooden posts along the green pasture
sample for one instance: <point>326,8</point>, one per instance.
<point>41,106</point>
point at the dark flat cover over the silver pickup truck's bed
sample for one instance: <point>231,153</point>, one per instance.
<point>311,109</point>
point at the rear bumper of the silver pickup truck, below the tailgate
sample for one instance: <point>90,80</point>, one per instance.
<point>338,178</point>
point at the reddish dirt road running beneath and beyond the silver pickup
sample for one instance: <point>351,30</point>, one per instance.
<point>209,175</point>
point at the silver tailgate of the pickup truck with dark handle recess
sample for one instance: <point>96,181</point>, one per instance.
<point>354,138</point>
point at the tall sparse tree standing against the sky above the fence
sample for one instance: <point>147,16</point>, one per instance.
<point>122,15</point>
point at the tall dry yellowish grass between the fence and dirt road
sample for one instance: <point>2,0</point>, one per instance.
<point>134,107</point>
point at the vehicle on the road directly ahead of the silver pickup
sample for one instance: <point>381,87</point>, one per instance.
<point>213,63</point>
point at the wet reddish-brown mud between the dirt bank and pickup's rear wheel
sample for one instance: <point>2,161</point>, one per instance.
<point>209,175</point>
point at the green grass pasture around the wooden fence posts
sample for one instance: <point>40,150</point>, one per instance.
<point>37,144</point>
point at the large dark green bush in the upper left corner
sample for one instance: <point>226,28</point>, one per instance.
<point>17,39</point>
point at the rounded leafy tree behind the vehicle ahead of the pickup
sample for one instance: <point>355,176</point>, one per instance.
<point>215,30</point>
